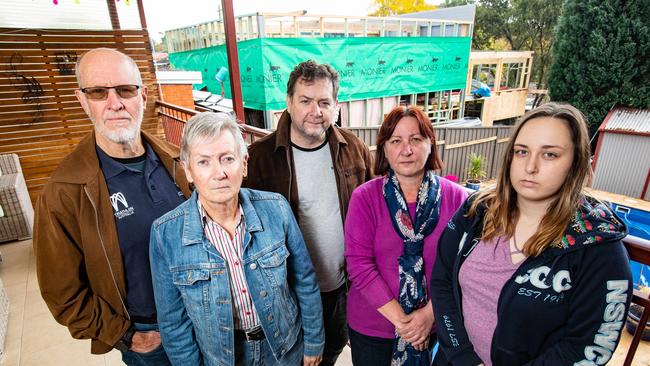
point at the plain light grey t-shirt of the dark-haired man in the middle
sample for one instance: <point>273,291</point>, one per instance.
<point>319,214</point>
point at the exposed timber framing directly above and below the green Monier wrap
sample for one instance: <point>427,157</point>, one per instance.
<point>440,105</point>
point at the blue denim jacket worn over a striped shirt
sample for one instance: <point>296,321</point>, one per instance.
<point>192,288</point>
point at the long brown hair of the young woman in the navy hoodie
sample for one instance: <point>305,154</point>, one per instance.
<point>501,203</point>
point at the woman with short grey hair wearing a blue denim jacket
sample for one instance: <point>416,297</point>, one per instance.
<point>233,281</point>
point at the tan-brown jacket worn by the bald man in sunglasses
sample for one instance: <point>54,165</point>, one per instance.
<point>78,259</point>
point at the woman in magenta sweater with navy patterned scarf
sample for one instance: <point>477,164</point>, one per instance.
<point>391,235</point>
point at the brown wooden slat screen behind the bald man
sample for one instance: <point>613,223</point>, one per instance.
<point>40,118</point>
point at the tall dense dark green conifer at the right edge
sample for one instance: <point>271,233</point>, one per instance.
<point>601,56</point>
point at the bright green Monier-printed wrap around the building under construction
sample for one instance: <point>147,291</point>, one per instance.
<point>368,67</point>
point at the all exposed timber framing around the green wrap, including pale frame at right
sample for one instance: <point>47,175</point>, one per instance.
<point>509,72</point>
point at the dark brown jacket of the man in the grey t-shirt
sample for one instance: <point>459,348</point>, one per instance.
<point>270,165</point>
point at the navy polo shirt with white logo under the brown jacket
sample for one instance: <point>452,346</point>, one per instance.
<point>138,198</point>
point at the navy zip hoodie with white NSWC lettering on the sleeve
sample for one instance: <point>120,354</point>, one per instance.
<point>566,306</point>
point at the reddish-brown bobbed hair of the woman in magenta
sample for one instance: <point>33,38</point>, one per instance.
<point>388,127</point>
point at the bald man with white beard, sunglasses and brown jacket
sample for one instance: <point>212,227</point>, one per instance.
<point>93,219</point>
